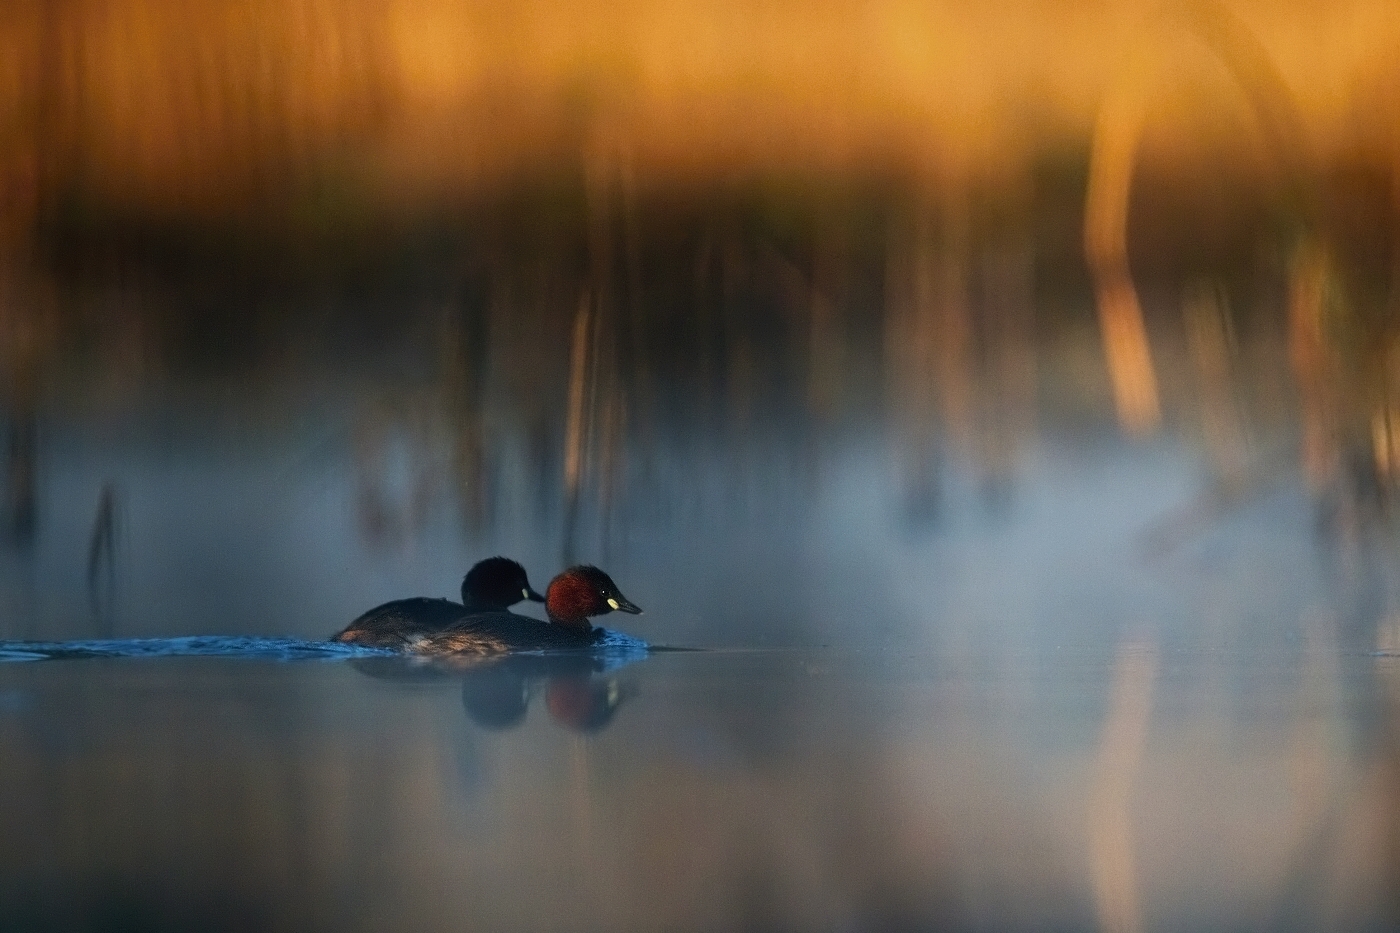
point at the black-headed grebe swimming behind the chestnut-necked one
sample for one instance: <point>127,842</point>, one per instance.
<point>492,586</point>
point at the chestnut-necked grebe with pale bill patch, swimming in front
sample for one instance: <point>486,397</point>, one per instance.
<point>573,597</point>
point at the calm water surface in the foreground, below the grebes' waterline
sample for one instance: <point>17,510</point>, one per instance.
<point>1133,787</point>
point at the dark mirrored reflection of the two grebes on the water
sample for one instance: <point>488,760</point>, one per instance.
<point>582,693</point>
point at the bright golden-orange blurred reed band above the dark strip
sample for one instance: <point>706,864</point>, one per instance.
<point>166,106</point>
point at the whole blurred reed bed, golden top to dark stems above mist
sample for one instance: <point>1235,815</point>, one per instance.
<point>618,236</point>
